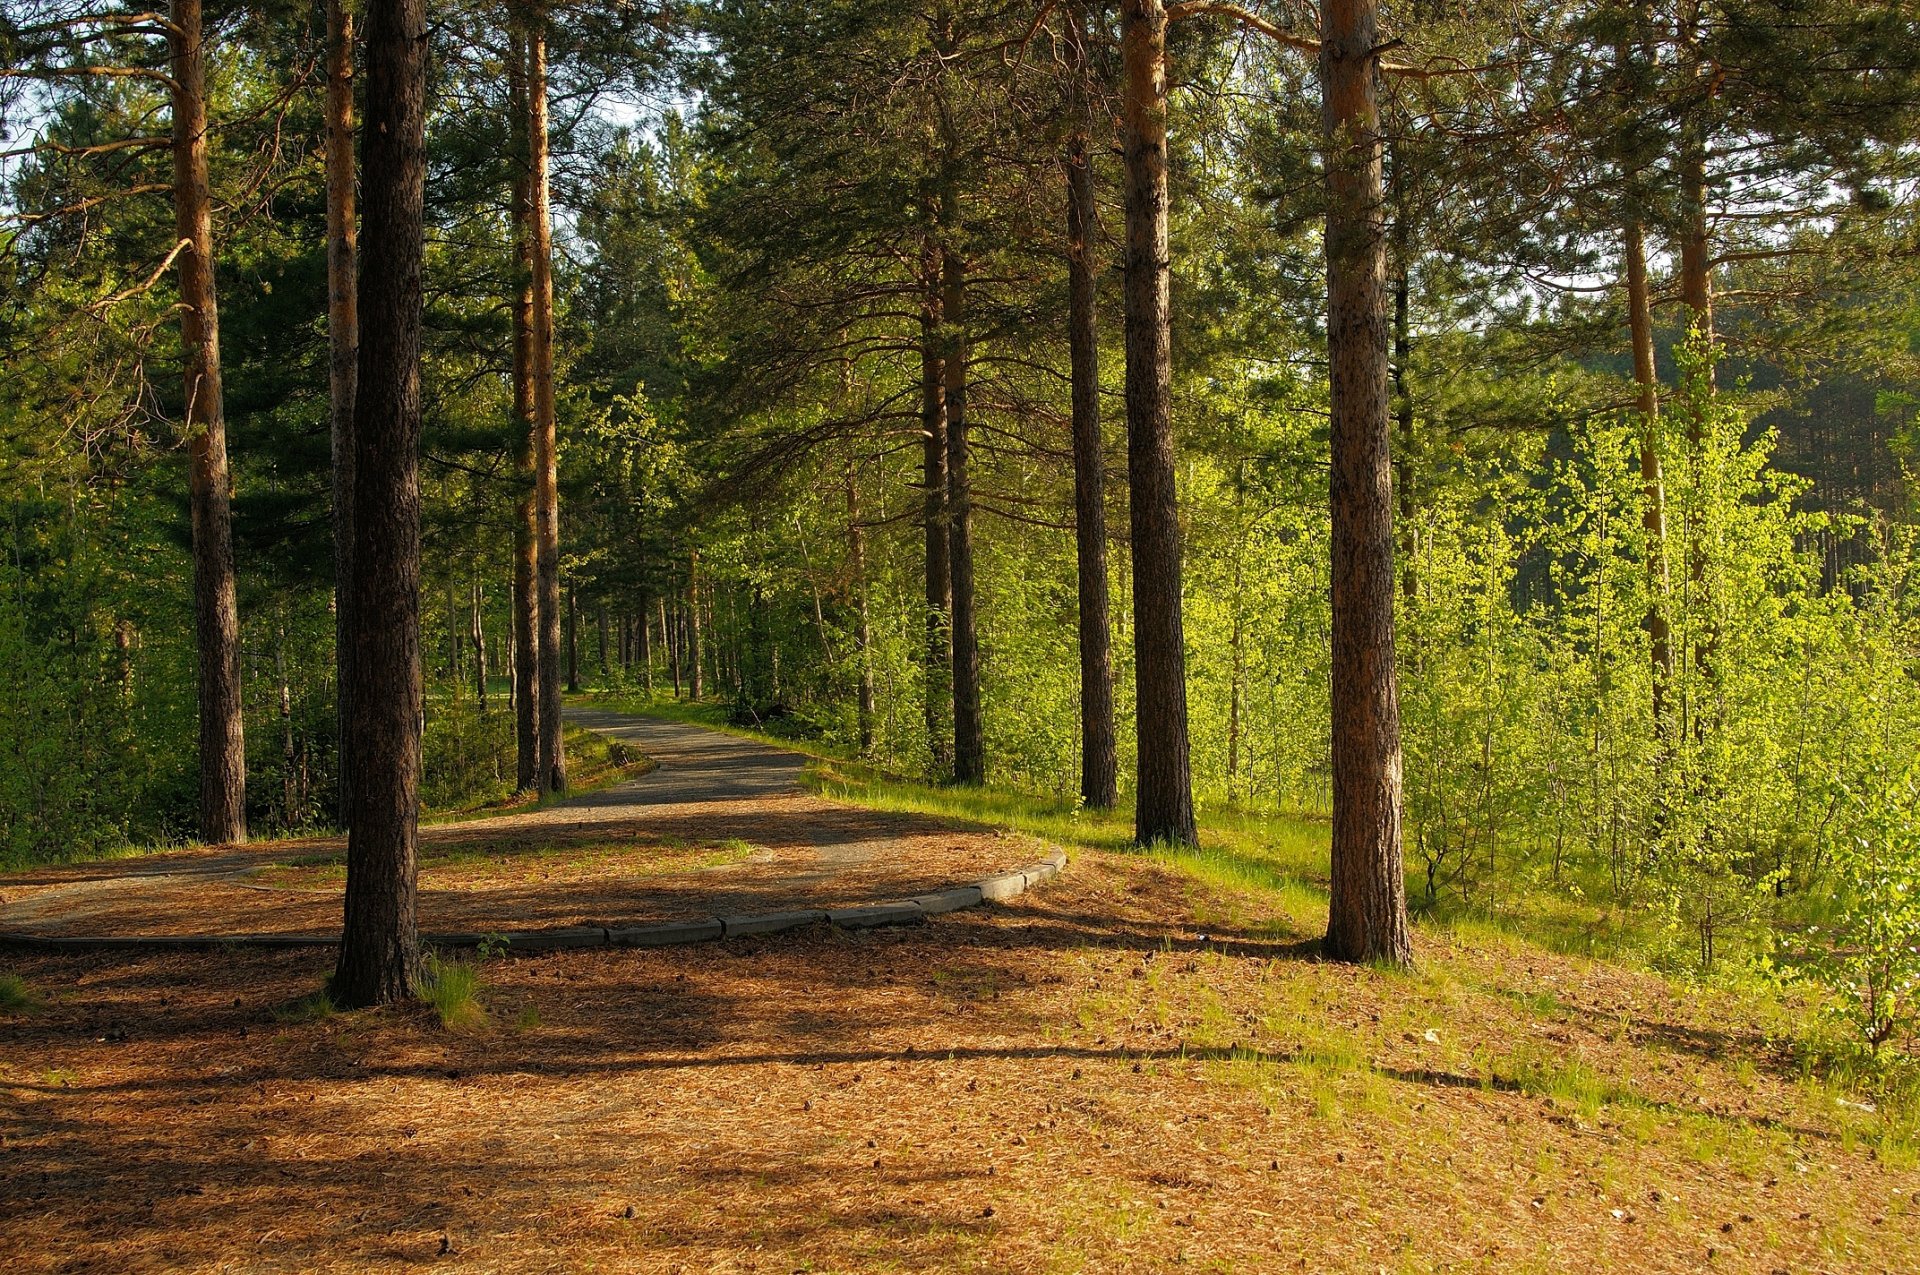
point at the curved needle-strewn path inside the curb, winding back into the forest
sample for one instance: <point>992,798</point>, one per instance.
<point>577,873</point>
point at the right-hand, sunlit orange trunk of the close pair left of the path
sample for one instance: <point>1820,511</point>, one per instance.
<point>546,439</point>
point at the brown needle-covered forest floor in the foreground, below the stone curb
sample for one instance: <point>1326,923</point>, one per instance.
<point>1076,1082</point>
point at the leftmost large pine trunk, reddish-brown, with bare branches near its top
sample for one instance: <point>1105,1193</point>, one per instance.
<point>210,485</point>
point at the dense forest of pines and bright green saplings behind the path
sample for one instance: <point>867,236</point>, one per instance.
<point>1483,427</point>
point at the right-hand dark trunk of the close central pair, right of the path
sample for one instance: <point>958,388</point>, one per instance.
<point>971,740</point>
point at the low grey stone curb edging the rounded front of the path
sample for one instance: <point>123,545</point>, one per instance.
<point>865,917</point>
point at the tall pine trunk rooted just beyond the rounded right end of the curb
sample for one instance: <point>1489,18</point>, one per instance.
<point>1164,807</point>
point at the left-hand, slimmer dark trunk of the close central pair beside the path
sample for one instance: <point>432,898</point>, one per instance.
<point>934,516</point>
